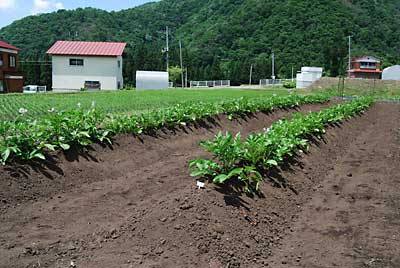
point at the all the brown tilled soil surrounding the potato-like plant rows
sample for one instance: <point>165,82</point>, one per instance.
<point>135,205</point>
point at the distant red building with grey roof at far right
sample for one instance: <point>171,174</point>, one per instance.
<point>366,67</point>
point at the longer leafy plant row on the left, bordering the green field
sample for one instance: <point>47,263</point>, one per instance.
<point>27,139</point>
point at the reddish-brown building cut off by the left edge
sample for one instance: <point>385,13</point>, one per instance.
<point>11,81</point>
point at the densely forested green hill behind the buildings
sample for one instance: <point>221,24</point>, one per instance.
<point>222,38</point>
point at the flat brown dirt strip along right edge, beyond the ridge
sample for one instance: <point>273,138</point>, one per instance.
<point>353,219</point>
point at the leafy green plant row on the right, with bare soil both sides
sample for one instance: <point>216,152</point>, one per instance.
<point>244,164</point>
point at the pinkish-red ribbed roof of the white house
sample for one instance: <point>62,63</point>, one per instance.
<point>87,48</point>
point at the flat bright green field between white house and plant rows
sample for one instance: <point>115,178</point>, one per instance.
<point>118,102</point>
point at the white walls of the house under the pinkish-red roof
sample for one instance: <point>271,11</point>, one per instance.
<point>105,70</point>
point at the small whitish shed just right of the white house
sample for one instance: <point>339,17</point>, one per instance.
<point>149,80</point>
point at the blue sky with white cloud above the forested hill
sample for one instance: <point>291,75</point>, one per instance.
<point>11,10</point>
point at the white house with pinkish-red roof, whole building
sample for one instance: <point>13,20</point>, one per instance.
<point>88,65</point>
